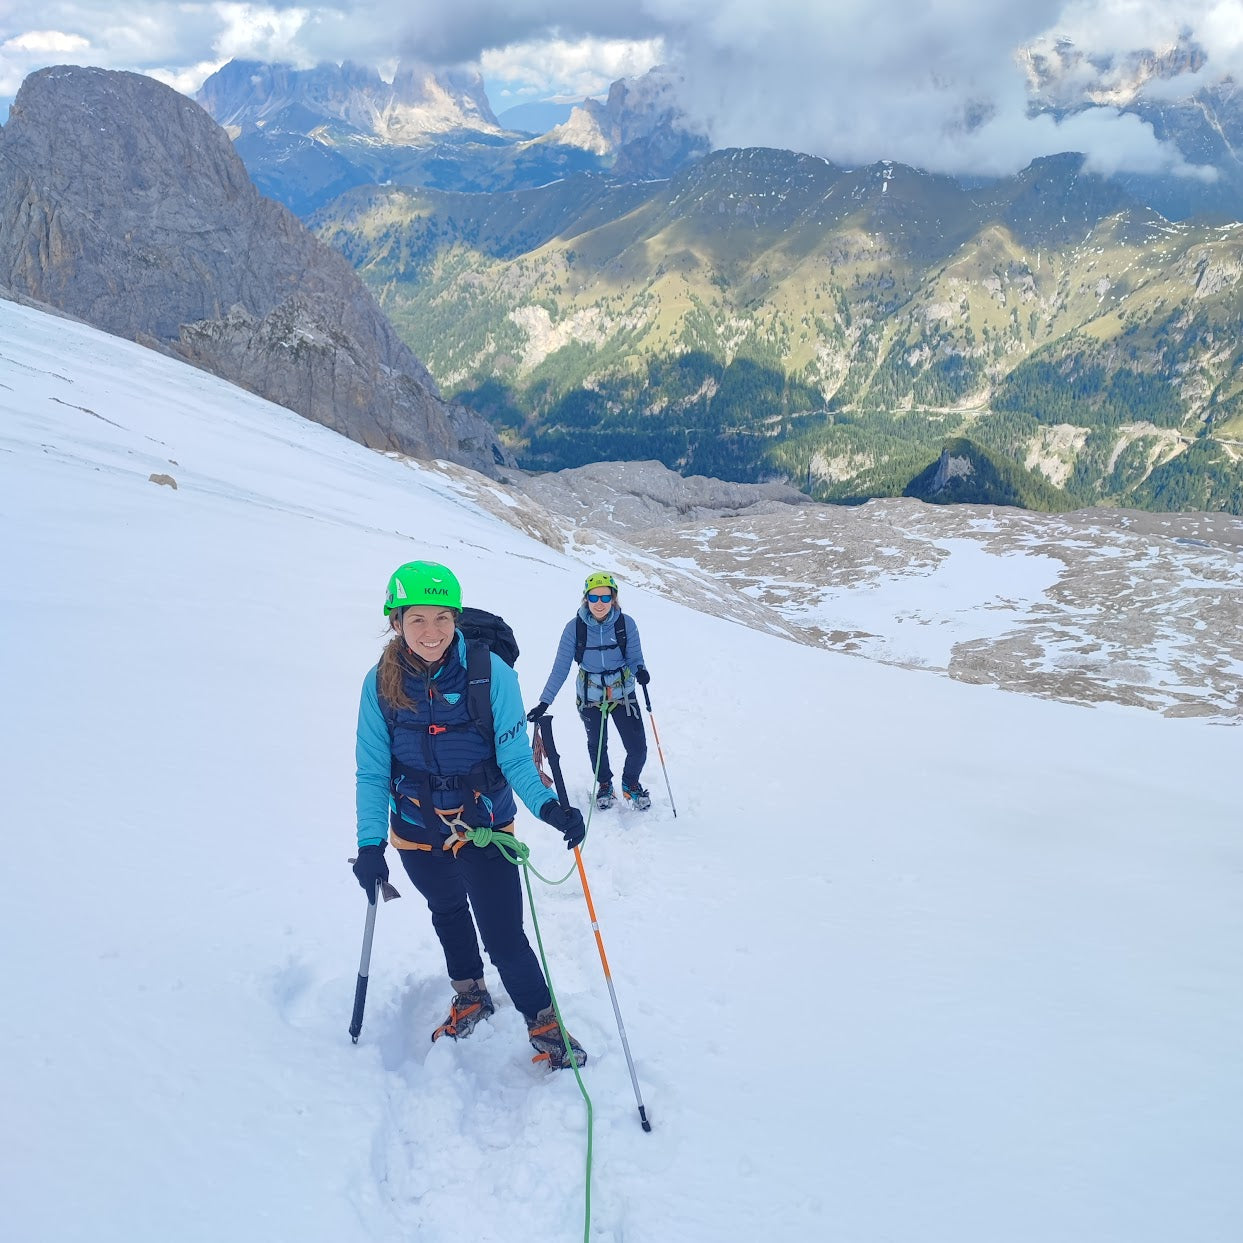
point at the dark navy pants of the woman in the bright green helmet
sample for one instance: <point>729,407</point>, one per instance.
<point>480,879</point>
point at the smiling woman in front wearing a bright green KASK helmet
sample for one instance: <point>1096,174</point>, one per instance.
<point>428,771</point>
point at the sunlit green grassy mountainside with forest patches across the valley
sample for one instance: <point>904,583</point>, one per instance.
<point>770,315</point>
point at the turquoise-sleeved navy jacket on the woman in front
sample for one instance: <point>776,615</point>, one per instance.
<point>375,749</point>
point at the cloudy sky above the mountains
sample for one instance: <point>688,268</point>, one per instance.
<point>944,85</point>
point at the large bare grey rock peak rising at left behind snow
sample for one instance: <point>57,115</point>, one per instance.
<point>125,206</point>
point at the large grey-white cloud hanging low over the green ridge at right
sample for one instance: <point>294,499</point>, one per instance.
<point>942,86</point>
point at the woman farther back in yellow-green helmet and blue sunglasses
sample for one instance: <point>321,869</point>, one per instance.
<point>610,653</point>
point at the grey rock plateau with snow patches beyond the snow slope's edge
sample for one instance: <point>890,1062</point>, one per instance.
<point>1099,606</point>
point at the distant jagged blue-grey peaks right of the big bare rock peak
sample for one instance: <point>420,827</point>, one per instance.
<point>310,135</point>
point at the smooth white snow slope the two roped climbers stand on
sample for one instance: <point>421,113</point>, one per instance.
<point>915,963</point>
